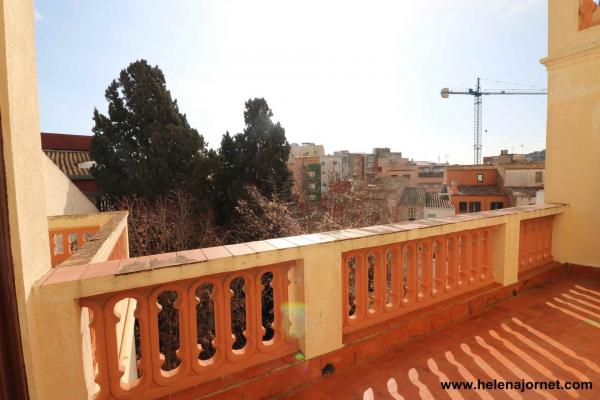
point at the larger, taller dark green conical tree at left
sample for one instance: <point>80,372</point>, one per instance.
<point>145,145</point>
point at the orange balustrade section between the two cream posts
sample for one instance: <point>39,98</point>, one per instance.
<point>383,282</point>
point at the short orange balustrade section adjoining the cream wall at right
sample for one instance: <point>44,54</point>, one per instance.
<point>535,242</point>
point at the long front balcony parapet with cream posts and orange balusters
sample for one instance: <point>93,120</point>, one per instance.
<point>310,286</point>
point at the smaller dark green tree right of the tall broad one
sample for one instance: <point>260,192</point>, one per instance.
<point>257,157</point>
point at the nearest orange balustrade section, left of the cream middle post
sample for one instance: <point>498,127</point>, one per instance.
<point>191,331</point>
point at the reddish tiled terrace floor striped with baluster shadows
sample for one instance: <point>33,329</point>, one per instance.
<point>545,334</point>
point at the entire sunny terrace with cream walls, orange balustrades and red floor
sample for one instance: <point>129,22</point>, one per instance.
<point>388,311</point>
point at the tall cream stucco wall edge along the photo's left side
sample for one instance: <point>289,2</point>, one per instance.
<point>24,184</point>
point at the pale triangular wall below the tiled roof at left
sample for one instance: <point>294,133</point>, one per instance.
<point>62,196</point>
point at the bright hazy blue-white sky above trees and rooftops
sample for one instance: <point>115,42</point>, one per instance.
<point>347,74</point>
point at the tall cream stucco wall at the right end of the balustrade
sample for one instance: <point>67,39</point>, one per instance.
<point>573,136</point>
